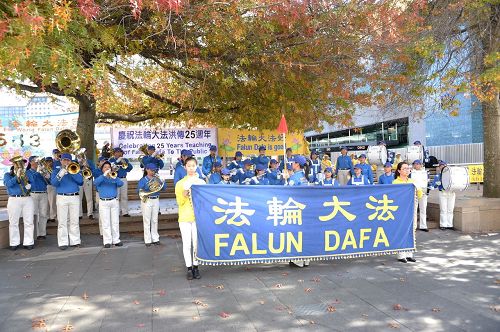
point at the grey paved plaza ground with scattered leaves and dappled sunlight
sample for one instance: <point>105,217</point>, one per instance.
<point>454,286</point>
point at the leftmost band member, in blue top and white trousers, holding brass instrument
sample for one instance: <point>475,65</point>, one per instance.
<point>19,204</point>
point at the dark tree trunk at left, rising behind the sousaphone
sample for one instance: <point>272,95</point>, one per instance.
<point>86,123</point>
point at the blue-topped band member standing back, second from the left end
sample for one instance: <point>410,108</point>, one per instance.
<point>39,194</point>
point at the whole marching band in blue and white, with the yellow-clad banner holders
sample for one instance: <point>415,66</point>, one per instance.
<point>53,187</point>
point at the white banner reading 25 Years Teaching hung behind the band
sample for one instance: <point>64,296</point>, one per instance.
<point>171,140</point>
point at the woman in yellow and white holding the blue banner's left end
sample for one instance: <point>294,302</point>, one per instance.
<point>187,221</point>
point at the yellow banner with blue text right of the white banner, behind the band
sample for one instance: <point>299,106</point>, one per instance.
<point>249,141</point>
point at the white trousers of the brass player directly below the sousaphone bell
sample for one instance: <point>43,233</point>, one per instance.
<point>67,220</point>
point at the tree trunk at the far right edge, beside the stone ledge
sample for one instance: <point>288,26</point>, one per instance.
<point>491,124</point>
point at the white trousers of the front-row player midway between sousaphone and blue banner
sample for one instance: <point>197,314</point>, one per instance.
<point>109,216</point>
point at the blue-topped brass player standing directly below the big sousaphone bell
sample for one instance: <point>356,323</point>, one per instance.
<point>68,203</point>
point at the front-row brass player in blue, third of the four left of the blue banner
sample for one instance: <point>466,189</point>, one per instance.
<point>109,207</point>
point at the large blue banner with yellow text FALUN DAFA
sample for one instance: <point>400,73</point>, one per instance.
<point>253,224</point>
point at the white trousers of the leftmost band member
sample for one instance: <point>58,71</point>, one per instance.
<point>17,207</point>
